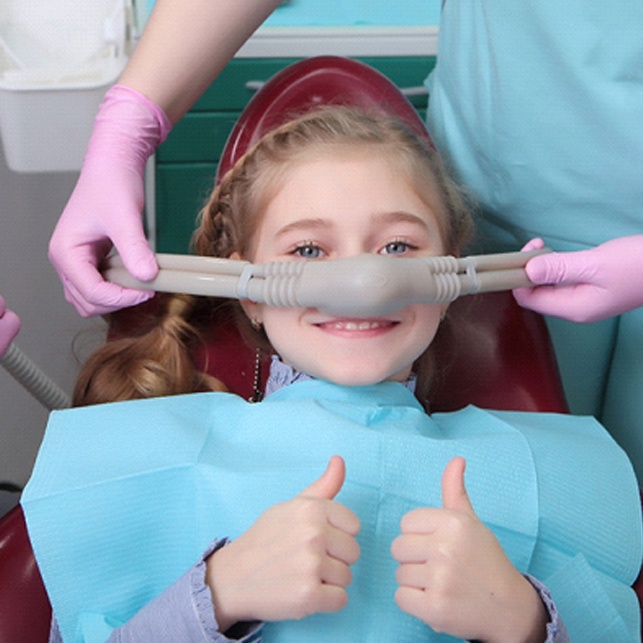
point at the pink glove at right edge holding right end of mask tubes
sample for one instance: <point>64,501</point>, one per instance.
<point>587,285</point>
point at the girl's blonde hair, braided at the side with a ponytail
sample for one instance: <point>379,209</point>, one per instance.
<point>160,360</point>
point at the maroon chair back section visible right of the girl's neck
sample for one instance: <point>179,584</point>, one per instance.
<point>494,354</point>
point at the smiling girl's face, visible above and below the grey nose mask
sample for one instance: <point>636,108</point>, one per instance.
<point>336,206</point>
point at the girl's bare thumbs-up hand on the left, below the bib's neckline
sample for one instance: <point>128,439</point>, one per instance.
<point>293,561</point>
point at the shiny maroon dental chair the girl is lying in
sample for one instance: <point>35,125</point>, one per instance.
<point>497,355</point>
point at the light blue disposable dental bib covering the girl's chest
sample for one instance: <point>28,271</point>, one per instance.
<point>125,497</point>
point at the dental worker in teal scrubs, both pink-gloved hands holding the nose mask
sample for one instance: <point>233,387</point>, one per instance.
<point>538,106</point>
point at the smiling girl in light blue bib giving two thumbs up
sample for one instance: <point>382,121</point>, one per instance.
<point>387,544</point>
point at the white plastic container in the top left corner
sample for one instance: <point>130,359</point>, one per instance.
<point>57,59</point>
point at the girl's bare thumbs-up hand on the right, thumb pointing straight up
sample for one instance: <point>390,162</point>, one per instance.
<point>454,575</point>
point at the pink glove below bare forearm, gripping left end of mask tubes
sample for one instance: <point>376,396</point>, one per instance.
<point>105,206</point>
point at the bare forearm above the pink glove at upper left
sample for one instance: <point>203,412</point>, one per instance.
<point>186,44</point>
